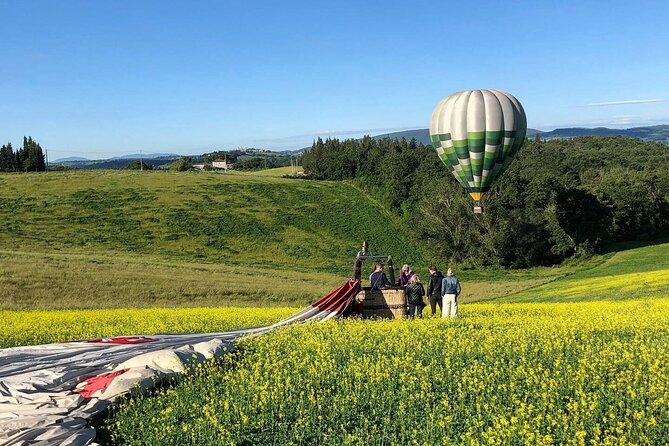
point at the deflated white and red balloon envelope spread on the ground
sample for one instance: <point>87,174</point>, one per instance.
<point>49,393</point>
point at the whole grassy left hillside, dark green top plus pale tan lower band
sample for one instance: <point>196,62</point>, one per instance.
<point>92,239</point>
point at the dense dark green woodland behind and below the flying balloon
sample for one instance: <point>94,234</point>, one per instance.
<point>557,200</point>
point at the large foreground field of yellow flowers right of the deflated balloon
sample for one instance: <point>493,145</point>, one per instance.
<point>516,373</point>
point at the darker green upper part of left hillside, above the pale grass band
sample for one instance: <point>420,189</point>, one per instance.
<point>233,219</point>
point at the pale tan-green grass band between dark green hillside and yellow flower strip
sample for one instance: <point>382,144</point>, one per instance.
<point>34,280</point>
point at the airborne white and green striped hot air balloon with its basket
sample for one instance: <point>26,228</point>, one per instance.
<point>476,134</point>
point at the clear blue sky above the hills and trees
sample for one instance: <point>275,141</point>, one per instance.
<point>101,78</point>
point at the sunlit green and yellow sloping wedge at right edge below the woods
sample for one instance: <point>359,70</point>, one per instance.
<point>633,273</point>
